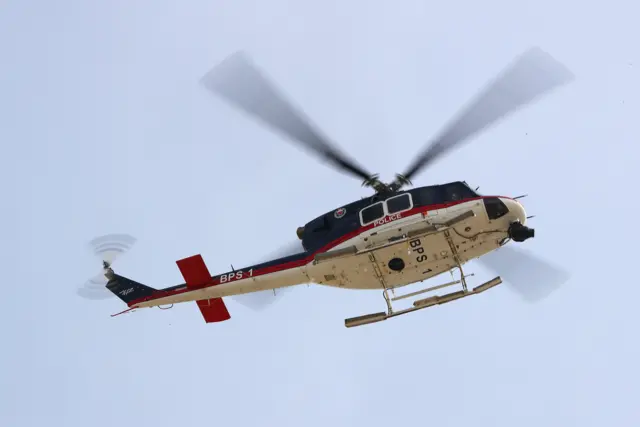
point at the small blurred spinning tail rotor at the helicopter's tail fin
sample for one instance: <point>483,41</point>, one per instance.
<point>107,248</point>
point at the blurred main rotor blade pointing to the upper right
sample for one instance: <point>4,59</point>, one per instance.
<point>532,75</point>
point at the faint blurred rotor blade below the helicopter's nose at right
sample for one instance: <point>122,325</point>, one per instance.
<point>531,277</point>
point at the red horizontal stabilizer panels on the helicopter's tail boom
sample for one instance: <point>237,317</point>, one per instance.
<point>196,274</point>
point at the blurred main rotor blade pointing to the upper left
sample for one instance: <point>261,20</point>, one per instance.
<point>241,84</point>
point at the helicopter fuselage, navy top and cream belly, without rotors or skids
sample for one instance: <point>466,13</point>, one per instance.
<point>384,241</point>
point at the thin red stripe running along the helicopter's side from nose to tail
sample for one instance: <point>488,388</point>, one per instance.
<point>309,258</point>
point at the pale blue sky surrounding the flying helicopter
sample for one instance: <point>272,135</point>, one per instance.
<point>105,129</point>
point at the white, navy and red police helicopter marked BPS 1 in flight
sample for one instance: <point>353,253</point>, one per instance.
<point>391,239</point>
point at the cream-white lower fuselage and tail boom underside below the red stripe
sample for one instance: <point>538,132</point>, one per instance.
<point>424,255</point>
